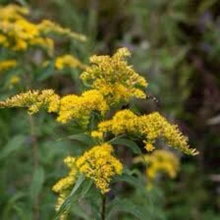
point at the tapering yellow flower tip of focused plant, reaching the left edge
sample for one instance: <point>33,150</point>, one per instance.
<point>34,101</point>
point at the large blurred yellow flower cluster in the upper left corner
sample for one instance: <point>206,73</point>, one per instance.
<point>18,34</point>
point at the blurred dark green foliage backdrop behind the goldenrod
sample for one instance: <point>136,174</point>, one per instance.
<point>176,46</point>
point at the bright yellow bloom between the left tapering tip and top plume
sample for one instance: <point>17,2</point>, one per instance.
<point>81,107</point>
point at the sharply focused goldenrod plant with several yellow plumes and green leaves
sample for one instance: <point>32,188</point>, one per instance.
<point>106,128</point>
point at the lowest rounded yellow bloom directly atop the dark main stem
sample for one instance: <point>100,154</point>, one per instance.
<point>99,165</point>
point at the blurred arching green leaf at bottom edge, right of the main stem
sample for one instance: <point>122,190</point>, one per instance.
<point>126,206</point>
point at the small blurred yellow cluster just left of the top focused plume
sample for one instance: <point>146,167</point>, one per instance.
<point>68,61</point>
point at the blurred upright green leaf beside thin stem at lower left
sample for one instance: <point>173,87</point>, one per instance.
<point>37,183</point>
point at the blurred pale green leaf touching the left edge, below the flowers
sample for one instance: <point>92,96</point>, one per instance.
<point>15,144</point>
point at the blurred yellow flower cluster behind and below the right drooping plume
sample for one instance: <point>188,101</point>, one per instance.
<point>160,161</point>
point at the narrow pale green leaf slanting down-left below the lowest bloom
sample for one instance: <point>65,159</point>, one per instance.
<point>66,206</point>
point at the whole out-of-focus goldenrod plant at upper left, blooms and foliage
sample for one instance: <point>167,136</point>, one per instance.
<point>28,49</point>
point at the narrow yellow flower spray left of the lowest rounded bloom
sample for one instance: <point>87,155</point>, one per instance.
<point>64,185</point>
